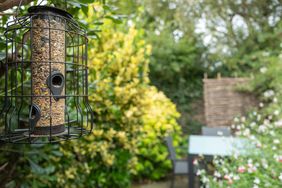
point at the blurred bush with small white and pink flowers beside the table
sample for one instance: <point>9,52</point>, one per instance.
<point>262,167</point>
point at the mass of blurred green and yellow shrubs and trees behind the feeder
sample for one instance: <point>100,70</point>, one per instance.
<point>140,52</point>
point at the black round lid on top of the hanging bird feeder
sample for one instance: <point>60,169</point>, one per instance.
<point>38,9</point>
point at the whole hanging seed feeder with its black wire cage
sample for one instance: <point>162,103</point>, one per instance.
<point>46,85</point>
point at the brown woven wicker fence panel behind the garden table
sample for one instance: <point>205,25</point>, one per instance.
<point>223,102</point>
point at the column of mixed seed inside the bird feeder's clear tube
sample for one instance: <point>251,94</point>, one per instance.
<point>48,68</point>
